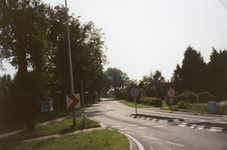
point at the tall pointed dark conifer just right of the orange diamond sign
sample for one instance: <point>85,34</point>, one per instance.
<point>193,71</point>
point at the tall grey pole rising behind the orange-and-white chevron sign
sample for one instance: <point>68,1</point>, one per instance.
<point>70,61</point>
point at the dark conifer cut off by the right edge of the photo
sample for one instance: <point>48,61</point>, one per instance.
<point>217,73</point>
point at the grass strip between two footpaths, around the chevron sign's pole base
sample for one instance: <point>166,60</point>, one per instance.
<point>52,128</point>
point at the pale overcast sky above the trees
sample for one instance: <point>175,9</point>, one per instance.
<point>143,36</point>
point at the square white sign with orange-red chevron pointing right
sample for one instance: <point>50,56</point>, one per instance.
<point>73,101</point>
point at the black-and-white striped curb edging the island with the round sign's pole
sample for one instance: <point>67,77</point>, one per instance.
<point>158,120</point>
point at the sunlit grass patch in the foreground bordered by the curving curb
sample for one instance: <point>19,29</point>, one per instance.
<point>95,140</point>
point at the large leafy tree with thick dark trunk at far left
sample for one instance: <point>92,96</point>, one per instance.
<point>23,31</point>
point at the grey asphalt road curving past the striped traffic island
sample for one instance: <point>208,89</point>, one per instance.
<point>158,136</point>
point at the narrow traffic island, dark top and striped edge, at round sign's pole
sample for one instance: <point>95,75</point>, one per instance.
<point>156,118</point>
